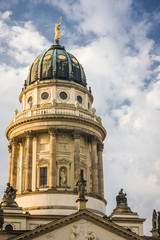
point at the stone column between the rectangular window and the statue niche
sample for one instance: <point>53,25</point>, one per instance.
<point>52,165</point>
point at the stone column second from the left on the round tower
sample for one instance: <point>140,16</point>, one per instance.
<point>13,178</point>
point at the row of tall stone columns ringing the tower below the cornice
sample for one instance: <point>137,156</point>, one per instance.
<point>96,161</point>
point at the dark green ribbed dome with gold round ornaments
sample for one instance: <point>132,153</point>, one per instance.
<point>56,63</point>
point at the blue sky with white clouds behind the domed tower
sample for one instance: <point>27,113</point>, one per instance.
<point>117,42</point>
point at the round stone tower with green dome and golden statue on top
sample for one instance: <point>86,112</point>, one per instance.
<point>55,136</point>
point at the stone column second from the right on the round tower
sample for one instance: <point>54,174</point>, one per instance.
<point>94,165</point>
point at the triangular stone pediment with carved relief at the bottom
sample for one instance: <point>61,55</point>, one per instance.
<point>79,226</point>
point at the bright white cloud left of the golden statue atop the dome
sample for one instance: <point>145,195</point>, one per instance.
<point>21,42</point>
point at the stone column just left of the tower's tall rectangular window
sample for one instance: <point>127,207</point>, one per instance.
<point>28,170</point>
